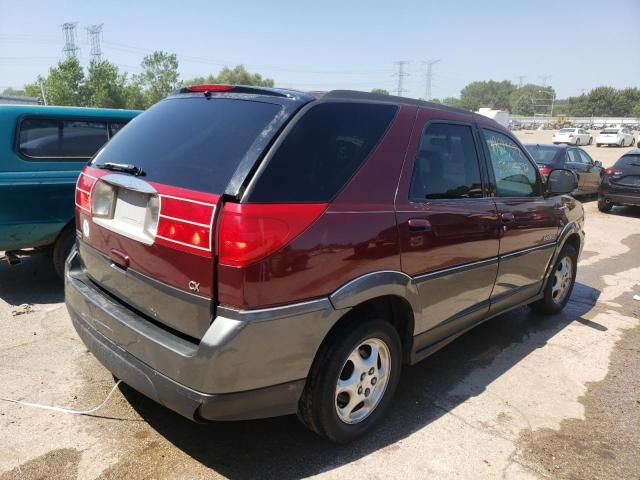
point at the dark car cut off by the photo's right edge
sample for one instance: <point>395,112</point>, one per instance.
<point>621,183</point>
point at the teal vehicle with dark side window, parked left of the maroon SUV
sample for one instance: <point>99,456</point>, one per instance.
<point>42,150</point>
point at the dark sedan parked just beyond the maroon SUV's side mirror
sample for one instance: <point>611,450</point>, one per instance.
<point>549,157</point>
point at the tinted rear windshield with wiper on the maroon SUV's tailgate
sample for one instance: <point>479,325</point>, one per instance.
<point>191,142</point>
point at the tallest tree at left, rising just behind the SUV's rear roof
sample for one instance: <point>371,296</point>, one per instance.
<point>159,76</point>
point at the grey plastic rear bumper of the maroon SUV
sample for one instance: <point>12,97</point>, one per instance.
<point>249,364</point>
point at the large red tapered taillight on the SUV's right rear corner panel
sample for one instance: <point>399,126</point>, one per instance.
<point>250,232</point>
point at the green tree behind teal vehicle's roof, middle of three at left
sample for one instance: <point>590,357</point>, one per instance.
<point>105,86</point>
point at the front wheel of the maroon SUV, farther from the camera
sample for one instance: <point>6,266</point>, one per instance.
<point>559,284</point>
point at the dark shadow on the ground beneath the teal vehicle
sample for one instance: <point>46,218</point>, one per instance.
<point>34,281</point>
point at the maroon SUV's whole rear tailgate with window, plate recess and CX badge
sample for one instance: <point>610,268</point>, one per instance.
<point>148,239</point>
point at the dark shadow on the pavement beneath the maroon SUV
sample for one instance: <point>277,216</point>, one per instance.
<point>283,448</point>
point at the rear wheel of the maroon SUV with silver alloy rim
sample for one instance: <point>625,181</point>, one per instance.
<point>352,381</point>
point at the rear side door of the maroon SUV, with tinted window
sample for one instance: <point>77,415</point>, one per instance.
<point>448,226</point>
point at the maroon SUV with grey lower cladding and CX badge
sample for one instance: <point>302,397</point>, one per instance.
<point>246,252</point>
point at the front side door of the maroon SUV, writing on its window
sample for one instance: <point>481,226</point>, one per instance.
<point>529,221</point>
